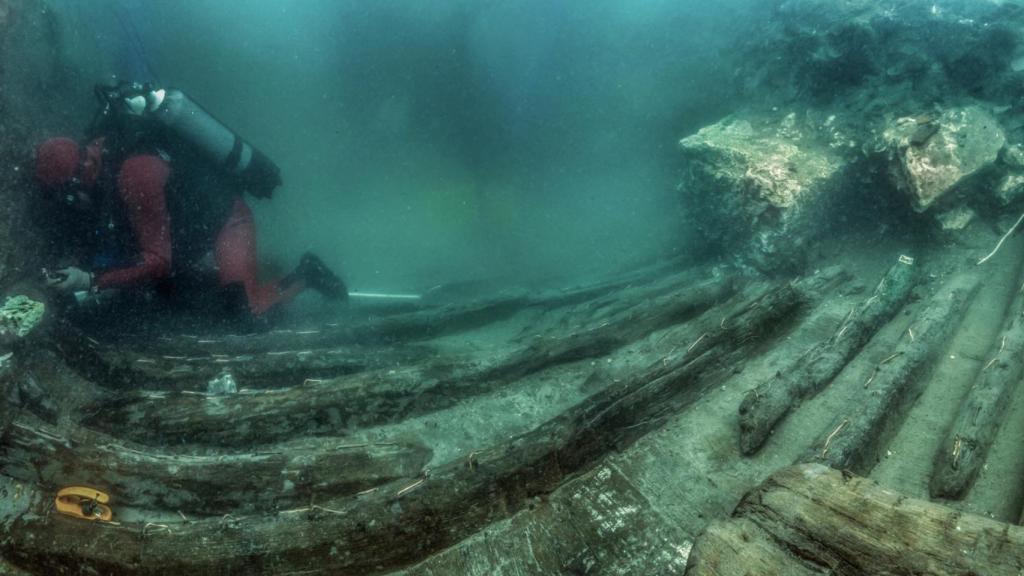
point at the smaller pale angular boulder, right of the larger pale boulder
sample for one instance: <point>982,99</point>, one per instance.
<point>931,156</point>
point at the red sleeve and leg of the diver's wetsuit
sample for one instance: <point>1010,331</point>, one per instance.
<point>141,185</point>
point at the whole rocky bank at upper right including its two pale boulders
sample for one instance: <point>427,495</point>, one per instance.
<point>904,108</point>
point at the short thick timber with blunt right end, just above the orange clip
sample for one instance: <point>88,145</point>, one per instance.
<point>286,477</point>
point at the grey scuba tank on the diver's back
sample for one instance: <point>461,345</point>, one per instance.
<point>143,113</point>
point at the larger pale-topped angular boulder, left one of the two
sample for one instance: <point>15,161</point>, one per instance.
<point>751,185</point>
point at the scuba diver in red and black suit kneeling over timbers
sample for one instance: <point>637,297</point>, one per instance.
<point>153,203</point>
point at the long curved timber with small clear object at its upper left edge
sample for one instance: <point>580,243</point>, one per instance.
<point>331,407</point>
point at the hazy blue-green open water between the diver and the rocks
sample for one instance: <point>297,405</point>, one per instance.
<point>424,143</point>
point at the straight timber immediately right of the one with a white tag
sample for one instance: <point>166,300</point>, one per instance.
<point>858,436</point>
